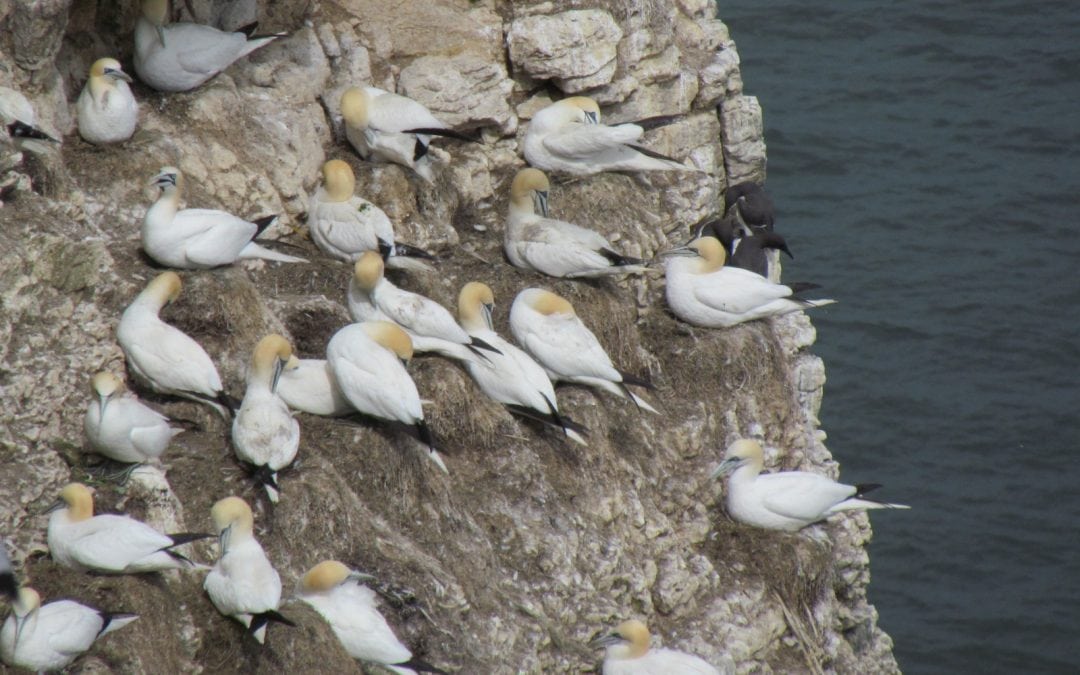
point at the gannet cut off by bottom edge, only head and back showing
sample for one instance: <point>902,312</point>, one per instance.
<point>629,654</point>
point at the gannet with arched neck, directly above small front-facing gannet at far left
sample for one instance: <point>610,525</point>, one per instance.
<point>164,357</point>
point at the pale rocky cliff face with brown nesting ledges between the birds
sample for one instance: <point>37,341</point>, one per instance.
<point>532,545</point>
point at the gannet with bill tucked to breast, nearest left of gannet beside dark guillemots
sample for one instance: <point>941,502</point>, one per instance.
<point>556,248</point>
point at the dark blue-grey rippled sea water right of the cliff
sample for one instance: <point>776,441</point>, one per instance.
<point>925,161</point>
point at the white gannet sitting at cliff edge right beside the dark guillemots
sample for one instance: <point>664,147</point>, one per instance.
<point>701,291</point>
